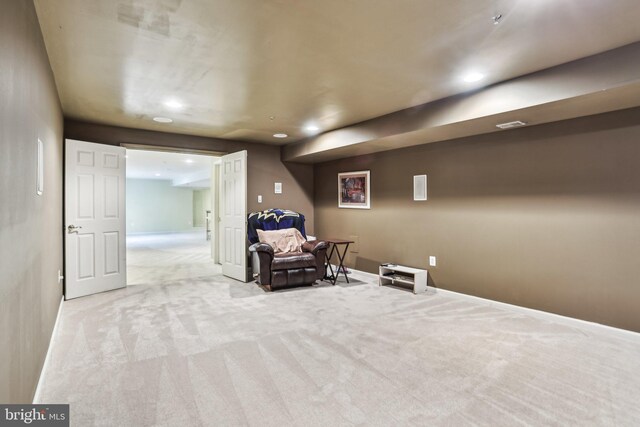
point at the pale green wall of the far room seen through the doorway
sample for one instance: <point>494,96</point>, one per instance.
<point>155,205</point>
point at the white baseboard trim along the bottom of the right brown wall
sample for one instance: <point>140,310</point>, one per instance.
<point>540,314</point>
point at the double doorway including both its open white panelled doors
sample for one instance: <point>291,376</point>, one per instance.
<point>97,258</point>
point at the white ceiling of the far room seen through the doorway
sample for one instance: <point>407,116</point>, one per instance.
<point>184,170</point>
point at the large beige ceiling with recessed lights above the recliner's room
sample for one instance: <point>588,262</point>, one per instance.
<point>246,69</point>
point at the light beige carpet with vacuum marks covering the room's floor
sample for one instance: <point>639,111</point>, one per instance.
<point>212,351</point>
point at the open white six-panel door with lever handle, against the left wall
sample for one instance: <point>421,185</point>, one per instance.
<point>95,237</point>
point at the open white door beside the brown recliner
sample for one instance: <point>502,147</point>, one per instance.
<point>233,207</point>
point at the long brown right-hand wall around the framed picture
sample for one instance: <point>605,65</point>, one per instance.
<point>546,217</point>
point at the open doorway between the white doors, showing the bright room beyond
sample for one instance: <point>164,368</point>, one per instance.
<point>170,206</point>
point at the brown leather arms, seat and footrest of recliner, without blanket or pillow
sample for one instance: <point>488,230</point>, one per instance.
<point>285,270</point>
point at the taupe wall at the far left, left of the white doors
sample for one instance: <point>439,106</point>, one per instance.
<point>30,225</point>
